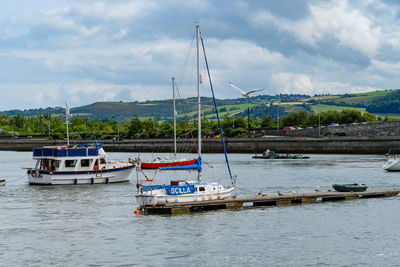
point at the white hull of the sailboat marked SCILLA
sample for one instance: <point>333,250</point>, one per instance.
<point>160,198</point>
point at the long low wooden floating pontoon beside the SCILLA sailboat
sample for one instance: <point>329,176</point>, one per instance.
<point>265,200</point>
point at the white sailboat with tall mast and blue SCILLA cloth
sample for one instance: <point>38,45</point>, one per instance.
<point>188,190</point>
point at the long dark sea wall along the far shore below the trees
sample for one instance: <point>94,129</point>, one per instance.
<point>303,145</point>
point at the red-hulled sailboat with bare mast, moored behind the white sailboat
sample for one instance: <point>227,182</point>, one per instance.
<point>166,162</point>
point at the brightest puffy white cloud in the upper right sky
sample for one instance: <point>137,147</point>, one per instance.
<point>333,21</point>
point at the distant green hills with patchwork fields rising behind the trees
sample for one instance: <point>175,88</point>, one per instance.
<point>378,102</point>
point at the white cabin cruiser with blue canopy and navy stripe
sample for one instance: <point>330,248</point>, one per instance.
<point>79,164</point>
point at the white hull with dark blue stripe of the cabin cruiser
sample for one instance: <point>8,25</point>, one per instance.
<point>105,177</point>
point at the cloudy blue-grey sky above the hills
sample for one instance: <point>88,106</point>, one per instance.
<point>80,52</point>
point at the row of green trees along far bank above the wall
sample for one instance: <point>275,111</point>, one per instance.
<point>83,128</point>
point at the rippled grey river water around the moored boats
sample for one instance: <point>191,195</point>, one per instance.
<point>95,225</point>
